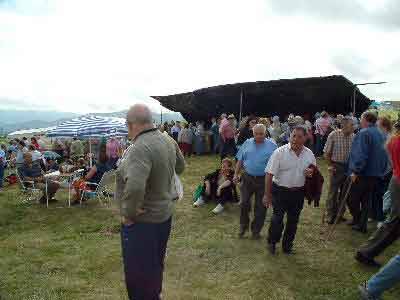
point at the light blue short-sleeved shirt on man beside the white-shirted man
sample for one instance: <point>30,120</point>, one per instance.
<point>255,157</point>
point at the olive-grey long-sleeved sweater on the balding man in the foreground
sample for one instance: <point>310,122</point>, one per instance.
<point>145,177</point>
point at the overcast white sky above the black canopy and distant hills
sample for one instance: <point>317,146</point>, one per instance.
<point>94,55</point>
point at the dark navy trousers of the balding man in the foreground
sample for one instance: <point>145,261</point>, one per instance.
<point>143,251</point>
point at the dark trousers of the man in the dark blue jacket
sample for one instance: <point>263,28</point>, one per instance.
<point>359,199</point>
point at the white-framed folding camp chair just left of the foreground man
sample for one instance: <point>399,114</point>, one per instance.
<point>101,191</point>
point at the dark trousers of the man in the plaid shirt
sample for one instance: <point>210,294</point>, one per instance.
<point>336,184</point>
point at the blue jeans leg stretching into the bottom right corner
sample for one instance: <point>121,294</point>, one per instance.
<point>386,278</point>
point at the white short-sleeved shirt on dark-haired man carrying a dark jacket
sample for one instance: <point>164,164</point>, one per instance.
<point>287,168</point>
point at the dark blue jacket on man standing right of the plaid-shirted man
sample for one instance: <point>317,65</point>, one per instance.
<point>368,156</point>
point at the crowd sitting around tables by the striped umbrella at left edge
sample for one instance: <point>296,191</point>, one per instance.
<point>33,160</point>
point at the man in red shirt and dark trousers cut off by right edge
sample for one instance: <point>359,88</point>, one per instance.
<point>390,231</point>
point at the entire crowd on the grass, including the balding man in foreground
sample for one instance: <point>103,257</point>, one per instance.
<point>272,163</point>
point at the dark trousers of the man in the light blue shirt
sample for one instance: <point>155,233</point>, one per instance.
<point>252,186</point>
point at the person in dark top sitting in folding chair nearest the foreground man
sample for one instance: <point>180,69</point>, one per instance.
<point>94,175</point>
